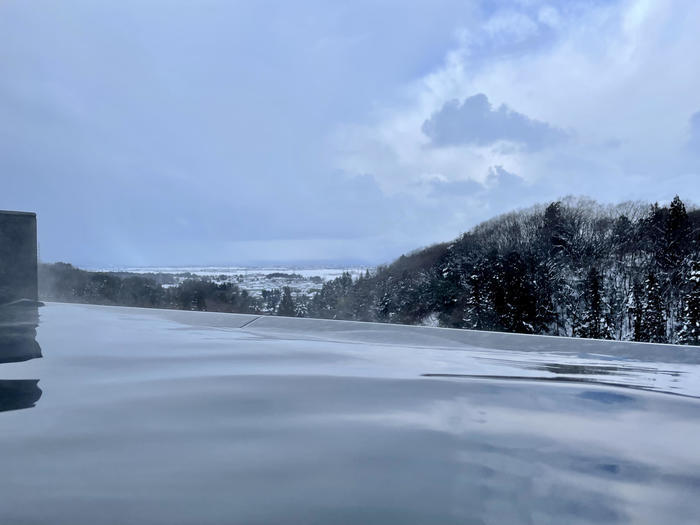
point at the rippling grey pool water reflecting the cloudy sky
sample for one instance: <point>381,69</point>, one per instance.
<point>154,422</point>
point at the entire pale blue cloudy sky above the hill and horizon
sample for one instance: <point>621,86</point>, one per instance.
<point>181,132</point>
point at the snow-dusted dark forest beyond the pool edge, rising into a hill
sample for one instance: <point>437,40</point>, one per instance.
<point>568,268</point>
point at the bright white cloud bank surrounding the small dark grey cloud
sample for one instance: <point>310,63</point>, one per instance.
<point>625,73</point>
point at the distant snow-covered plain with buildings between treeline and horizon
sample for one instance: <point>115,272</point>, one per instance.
<point>301,279</point>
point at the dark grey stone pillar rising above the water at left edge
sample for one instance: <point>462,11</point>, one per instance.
<point>18,258</point>
